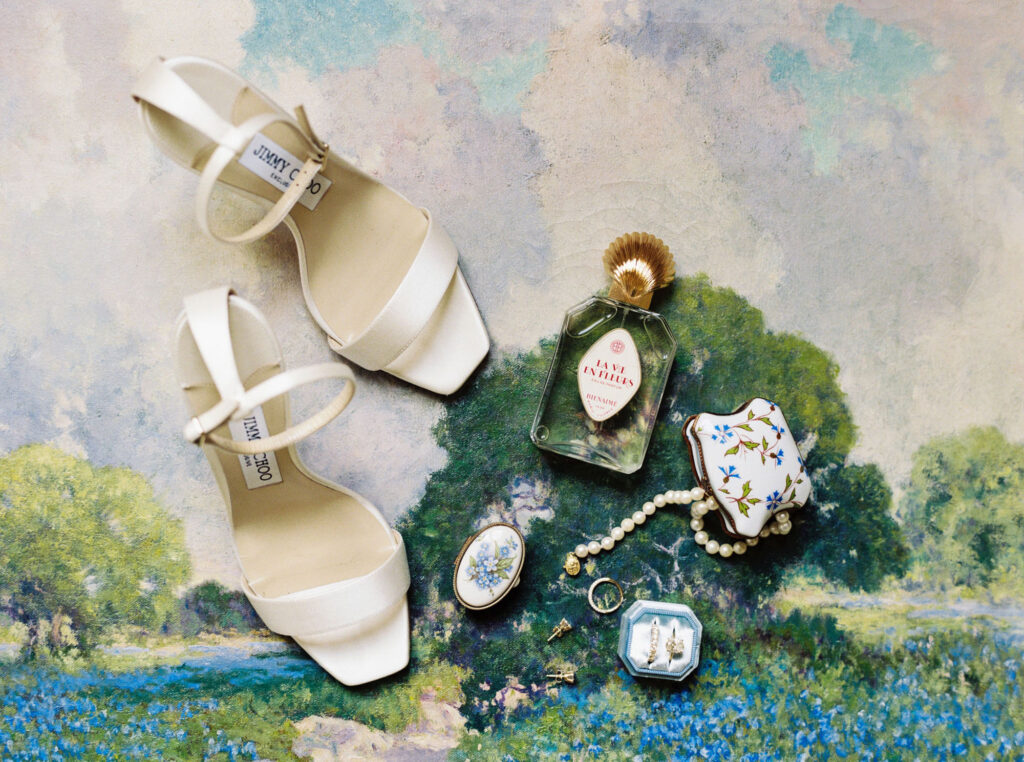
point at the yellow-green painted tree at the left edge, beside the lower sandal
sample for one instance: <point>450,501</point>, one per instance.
<point>83,549</point>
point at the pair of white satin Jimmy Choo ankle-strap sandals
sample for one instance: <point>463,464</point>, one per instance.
<point>320,563</point>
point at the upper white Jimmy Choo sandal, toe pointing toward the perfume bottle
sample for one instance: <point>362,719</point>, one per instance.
<point>379,276</point>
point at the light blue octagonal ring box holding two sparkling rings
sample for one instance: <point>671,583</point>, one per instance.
<point>676,644</point>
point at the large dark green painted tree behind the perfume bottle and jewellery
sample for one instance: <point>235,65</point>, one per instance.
<point>494,472</point>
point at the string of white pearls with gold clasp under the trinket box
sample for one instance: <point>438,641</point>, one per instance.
<point>700,506</point>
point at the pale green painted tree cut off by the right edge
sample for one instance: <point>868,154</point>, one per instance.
<point>964,512</point>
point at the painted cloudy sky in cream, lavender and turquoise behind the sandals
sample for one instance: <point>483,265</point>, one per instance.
<point>857,172</point>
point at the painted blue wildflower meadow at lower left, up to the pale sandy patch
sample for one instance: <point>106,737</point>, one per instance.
<point>218,703</point>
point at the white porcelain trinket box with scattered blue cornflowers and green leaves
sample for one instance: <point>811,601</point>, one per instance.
<point>749,461</point>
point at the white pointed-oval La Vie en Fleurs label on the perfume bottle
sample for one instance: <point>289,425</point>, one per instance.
<point>609,375</point>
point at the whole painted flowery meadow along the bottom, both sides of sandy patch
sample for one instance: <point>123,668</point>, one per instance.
<point>800,687</point>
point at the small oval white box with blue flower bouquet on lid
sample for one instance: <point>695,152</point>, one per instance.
<point>489,566</point>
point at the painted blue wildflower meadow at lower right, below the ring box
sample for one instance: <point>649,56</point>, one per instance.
<point>938,697</point>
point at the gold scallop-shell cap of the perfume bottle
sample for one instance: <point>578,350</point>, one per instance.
<point>639,264</point>
